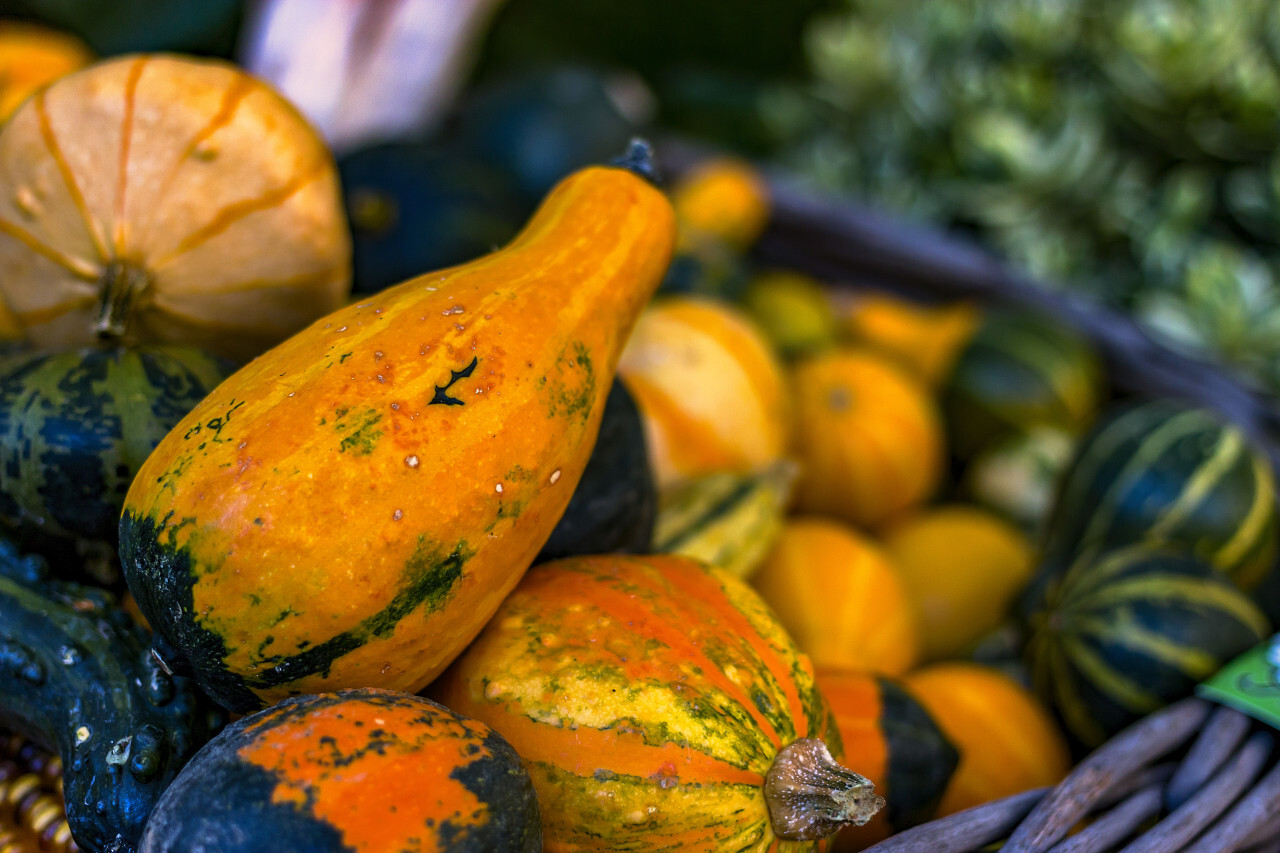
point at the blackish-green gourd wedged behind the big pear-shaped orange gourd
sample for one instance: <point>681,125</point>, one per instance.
<point>616,503</point>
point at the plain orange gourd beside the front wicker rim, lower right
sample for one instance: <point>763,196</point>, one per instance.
<point>1008,741</point>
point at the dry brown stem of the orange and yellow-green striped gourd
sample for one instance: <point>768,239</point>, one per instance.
<point>811,796</point>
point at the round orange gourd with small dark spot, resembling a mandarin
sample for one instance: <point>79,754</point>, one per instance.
<point>868,437</point>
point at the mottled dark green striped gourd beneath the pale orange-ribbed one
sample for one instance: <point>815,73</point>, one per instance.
<point>76,426</point>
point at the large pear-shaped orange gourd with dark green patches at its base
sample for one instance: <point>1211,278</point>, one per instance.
<point>350,508</point>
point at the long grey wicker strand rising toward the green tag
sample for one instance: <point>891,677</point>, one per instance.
<point>1075,799</point>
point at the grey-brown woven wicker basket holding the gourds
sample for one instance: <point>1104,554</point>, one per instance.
<point>1159,787</point>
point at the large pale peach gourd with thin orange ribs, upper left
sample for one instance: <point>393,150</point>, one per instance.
<point>167,200</point>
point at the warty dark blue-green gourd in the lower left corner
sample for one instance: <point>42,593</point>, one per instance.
<point>79,679</point>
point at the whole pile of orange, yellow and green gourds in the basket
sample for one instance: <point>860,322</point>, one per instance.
<point>468,591</point>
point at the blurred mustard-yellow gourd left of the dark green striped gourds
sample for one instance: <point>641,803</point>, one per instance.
<point>963,568</point>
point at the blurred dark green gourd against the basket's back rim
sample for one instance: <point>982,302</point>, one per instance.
<point>1021,371</point>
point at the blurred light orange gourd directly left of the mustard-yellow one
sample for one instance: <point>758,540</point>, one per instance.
<point>840,599</point>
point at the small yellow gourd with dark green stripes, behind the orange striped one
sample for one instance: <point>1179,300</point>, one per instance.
<point>726,519</point>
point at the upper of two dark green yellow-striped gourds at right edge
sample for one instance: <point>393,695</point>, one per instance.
<point>1167,475</point>
